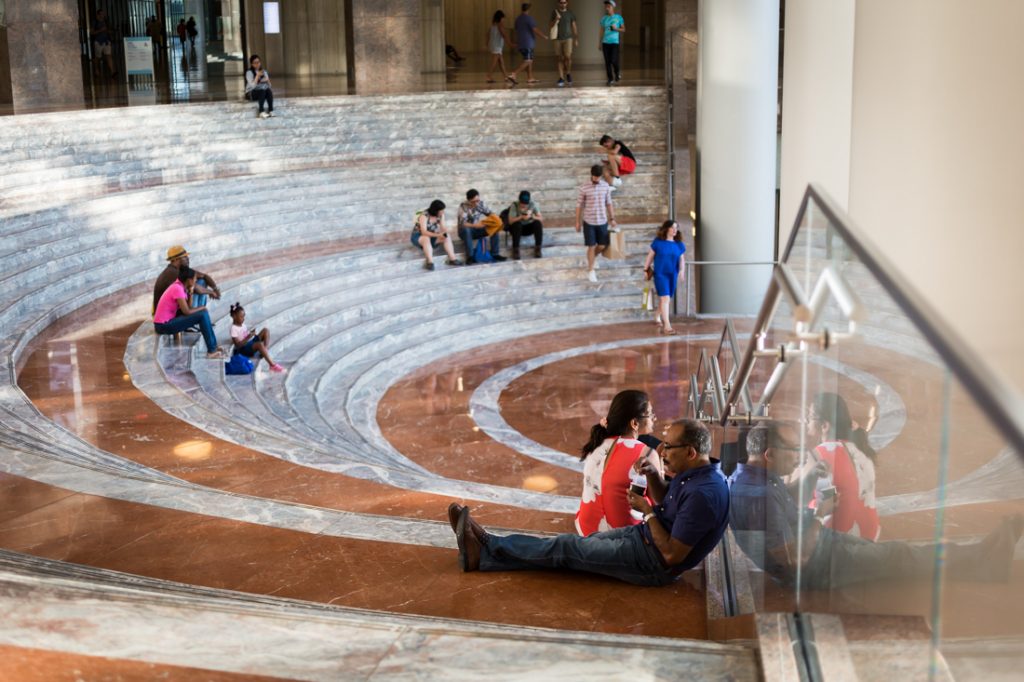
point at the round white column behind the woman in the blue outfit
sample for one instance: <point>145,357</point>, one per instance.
<point>738,149</point>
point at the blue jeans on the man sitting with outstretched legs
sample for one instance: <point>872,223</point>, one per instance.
<point>620,553</point>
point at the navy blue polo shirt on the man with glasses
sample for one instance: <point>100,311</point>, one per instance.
<point>695,511</point>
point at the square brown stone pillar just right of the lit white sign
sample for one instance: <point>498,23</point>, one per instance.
<point>387,47</point>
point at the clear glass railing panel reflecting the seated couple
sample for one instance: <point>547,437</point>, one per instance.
<point>884,491</point>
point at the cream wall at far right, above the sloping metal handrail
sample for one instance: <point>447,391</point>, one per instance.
<point>936,144</point>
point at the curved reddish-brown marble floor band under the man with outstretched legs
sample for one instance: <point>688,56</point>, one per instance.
<point>220,553</point>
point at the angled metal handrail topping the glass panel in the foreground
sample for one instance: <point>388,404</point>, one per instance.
<point>1003,404</point>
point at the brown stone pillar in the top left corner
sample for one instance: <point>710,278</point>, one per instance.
<point>42,56</point>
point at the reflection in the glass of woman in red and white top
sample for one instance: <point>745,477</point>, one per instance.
<point>851,462</point>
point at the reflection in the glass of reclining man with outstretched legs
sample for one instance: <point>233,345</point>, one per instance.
<point>782,538</point>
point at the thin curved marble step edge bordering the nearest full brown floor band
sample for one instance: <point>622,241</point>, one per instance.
<point>83,582</point>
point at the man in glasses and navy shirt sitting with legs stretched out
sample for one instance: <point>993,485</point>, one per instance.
<point>677,534</point>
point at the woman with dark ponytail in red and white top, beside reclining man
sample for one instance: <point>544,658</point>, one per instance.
<point>609,460</point>
